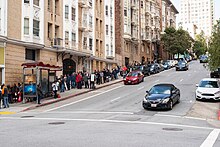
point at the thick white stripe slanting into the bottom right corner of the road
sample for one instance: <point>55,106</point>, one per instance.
<point>210,140</point>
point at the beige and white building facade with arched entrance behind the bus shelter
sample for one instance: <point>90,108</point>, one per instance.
<point>66,33</point>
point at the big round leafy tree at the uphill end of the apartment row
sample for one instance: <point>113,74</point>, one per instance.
<point>176,41</point>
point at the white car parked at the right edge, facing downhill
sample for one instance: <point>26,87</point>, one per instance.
<point>208,88</point>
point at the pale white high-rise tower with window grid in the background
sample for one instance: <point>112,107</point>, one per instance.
<point>198,12</point>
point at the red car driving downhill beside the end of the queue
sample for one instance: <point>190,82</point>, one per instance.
<point>134,77</point>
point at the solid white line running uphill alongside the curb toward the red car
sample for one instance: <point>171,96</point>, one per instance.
<point>83,99</point>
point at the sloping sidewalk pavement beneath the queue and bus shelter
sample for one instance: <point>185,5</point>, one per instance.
<point>20,107</point>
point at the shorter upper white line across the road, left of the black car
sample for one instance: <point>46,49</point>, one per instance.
<point>88,112</point>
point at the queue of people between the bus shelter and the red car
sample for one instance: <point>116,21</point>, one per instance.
<point>80,79</point>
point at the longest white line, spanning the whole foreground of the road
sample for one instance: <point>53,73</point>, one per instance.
<point>108,121</point>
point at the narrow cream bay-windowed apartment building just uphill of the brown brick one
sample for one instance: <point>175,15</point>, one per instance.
<point>150,30</point>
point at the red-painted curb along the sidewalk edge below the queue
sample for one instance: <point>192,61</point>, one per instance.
<point>67,97</point>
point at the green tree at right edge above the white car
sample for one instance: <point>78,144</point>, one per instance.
<point>214,48</point>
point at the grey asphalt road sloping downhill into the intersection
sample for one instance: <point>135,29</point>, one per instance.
<point>113,117</point>
